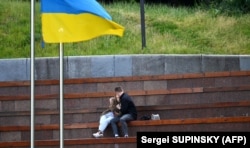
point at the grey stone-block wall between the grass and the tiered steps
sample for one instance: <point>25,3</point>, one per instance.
<point>121,65</point>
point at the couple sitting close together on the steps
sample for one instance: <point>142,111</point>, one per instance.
<point>121,109</point>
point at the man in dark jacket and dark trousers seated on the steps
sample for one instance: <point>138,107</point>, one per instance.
<point>127,109</point>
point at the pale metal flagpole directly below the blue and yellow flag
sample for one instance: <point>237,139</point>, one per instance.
<point>61,96</point>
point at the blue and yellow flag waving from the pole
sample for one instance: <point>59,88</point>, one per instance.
<point>76,20</point>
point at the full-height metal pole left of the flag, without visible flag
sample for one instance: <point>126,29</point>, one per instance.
<point>32,81</point>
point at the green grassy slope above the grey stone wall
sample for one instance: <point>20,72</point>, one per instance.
<point>169,30</point>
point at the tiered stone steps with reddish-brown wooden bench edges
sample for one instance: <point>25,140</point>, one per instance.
<point>211,101</point>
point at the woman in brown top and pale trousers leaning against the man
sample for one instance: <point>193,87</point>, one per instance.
<point>107,115</point>
